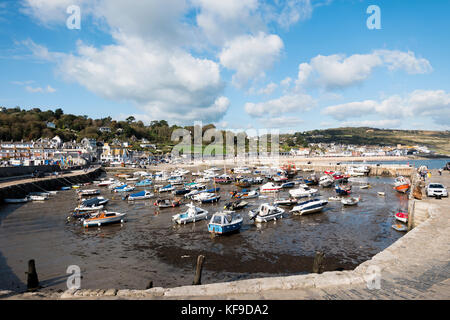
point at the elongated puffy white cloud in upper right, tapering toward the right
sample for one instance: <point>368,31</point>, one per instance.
<point>339,71</point>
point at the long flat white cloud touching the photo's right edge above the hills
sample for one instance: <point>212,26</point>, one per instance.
<point>419,103</point>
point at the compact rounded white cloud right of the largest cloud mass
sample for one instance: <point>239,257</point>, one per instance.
<point>250,56</point>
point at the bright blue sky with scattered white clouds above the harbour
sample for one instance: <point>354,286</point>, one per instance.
<point>289,65</point>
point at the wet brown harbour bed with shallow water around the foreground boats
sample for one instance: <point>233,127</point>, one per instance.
<point>148,247</point>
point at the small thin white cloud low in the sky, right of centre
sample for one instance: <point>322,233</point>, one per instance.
<point>284,104</point>
